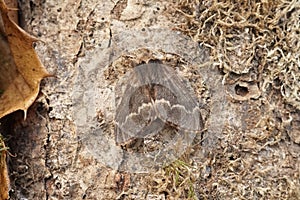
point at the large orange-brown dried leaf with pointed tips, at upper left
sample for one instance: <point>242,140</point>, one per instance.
<point>20,69</point>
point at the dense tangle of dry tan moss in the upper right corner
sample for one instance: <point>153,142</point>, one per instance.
<point>244,36</point>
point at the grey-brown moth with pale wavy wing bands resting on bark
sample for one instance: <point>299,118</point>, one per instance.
<point>150,97</point>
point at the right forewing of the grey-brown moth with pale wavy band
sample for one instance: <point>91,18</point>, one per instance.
<point>175,102</point>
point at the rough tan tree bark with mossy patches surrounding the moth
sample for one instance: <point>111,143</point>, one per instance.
<point>245,79</point>
